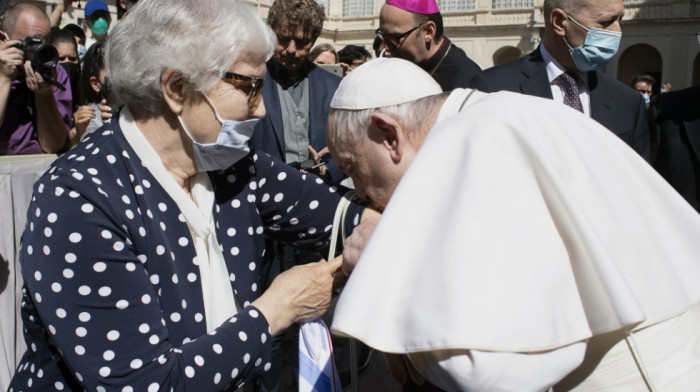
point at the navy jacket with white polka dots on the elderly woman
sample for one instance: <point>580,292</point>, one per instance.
<point>112,295</point>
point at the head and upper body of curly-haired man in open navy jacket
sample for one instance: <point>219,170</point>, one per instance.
<point>297,93</point>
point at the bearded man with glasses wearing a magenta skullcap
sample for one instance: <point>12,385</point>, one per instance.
<point>412,30</point>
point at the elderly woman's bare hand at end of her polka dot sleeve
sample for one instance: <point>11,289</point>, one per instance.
<point>299,294</point>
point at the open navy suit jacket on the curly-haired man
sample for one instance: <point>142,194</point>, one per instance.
<point>269,133</point>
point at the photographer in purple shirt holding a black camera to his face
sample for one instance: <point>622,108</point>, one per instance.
<point>34,113</point>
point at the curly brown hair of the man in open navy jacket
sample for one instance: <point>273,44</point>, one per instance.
<point>306,14</point>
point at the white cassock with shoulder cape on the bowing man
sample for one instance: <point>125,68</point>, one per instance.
<point>523,242</point>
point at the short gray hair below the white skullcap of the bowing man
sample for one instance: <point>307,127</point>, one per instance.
<point>350,126</point>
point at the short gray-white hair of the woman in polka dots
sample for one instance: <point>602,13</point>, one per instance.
<point>198,38</point>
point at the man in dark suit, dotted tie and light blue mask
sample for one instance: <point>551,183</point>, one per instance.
<point>580,38</point>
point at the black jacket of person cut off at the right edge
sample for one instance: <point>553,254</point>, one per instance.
<point>675,130</point>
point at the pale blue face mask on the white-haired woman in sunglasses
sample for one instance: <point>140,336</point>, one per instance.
<point>230,147</point>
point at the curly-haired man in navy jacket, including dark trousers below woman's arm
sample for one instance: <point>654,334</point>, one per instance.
<point>297,97</point>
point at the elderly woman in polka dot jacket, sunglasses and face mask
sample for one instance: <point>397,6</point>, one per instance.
<point>143,243</point>
